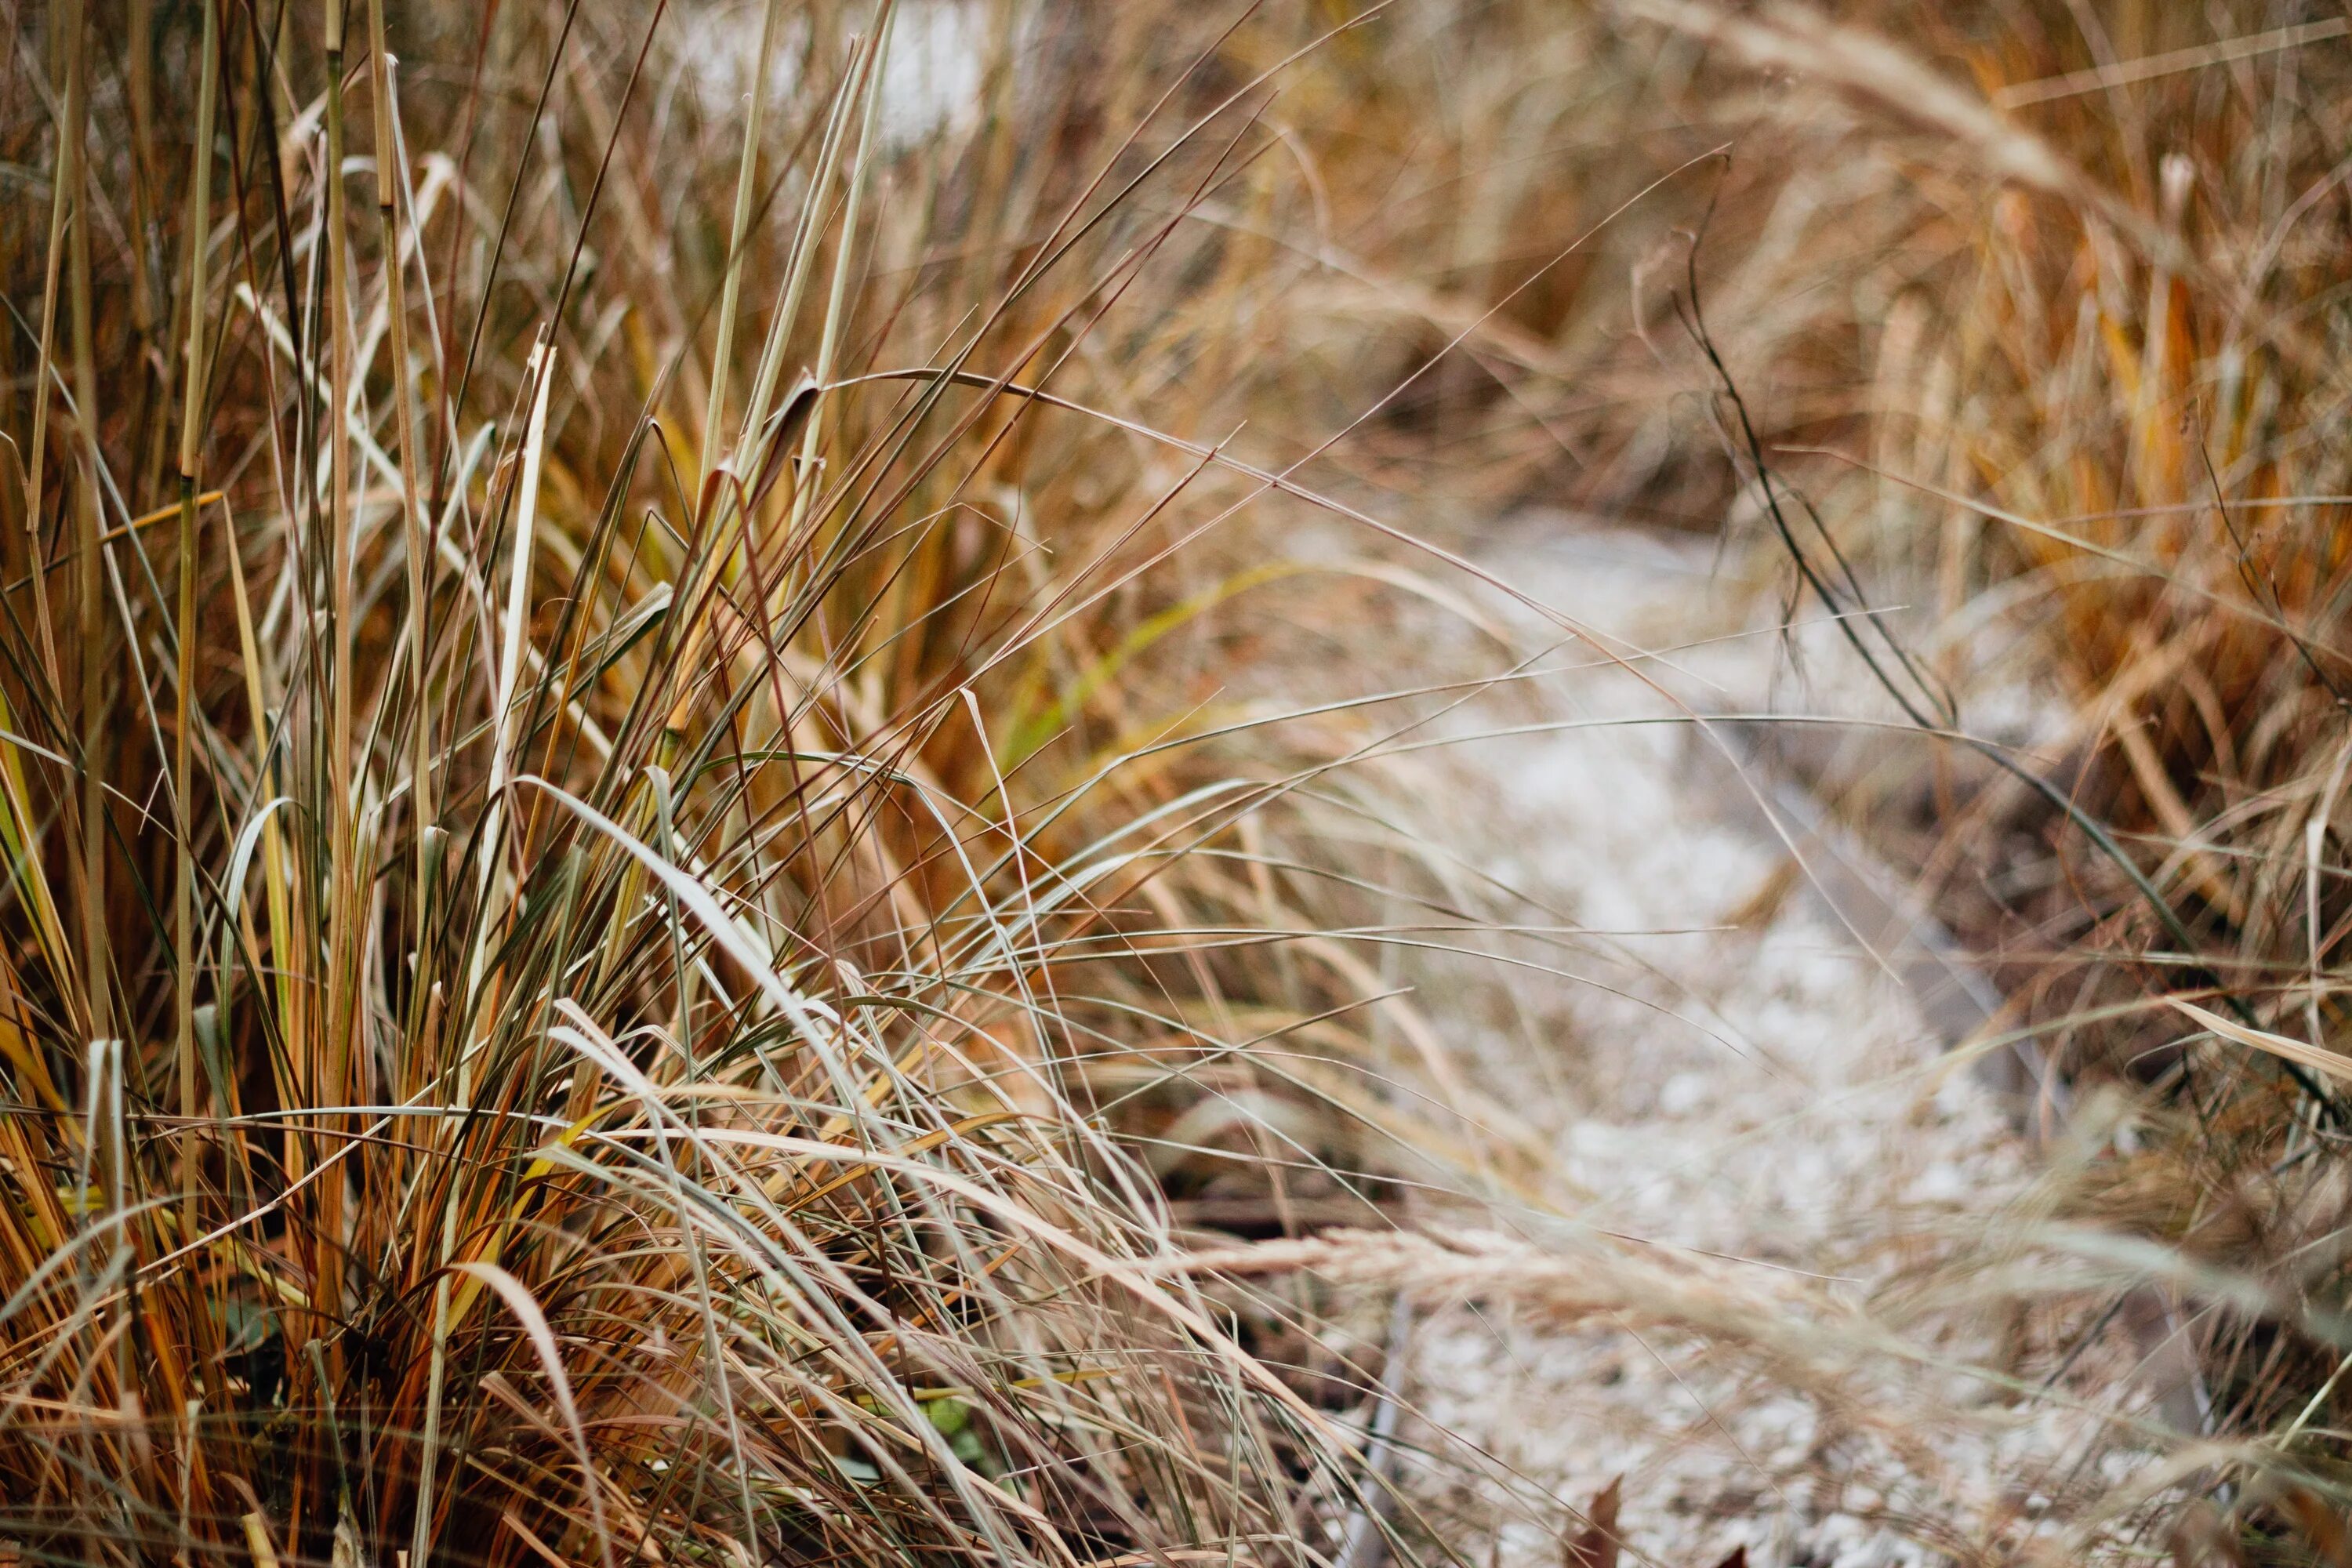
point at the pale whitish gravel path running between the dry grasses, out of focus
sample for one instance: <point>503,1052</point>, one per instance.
<point>1732,1071</point>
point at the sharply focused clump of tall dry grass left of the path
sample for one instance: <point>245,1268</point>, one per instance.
<point>587,897</point>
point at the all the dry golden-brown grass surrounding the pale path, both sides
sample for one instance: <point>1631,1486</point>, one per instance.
<point>639,887</point>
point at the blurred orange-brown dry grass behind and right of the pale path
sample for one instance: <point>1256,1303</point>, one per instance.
<point>2033,314</point>
